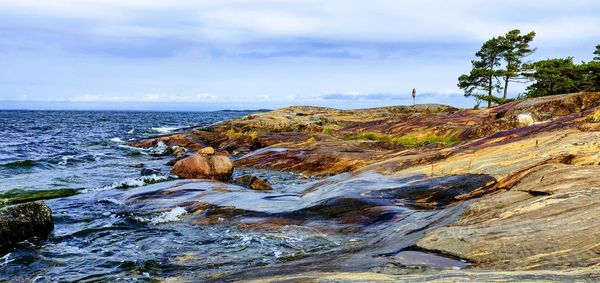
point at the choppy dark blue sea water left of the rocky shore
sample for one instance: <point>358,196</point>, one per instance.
<point>100,238</point>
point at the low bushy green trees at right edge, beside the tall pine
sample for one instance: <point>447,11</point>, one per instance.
<point>558,76</point>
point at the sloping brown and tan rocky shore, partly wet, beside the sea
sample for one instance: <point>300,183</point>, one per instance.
<point>510,189</point>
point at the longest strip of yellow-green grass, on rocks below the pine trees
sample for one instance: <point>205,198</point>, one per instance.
<point>407,140</point>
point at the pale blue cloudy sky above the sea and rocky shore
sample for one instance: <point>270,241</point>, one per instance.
<point>208,55</point>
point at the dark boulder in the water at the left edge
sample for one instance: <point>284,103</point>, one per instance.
<point>24,221</point>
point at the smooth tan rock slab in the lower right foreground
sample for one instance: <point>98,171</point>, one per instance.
<point>550,219</point>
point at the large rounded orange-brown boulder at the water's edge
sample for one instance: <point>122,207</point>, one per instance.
<point>202,166</point>
